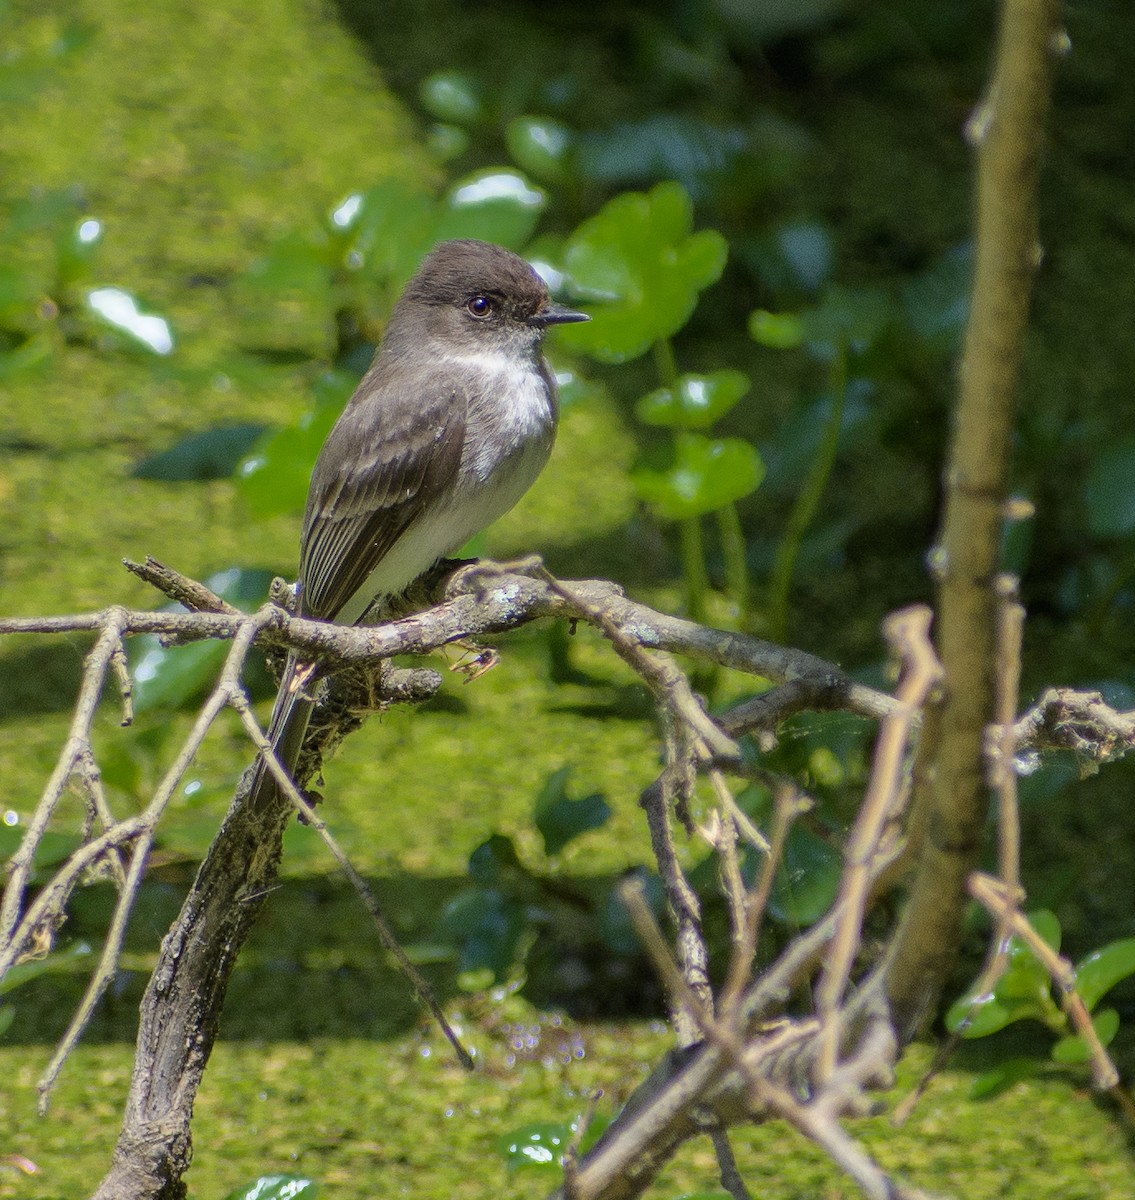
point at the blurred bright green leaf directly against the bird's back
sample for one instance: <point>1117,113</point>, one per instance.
<point>275,476</point>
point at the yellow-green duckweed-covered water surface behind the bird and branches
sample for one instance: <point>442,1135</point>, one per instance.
<point>200,133</point>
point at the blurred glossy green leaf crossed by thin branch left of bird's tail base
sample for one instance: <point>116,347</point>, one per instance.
<point>172,676</point>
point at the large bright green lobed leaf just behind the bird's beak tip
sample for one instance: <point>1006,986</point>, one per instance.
<point>640,259</point>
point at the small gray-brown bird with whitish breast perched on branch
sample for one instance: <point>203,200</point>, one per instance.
<point>449,428</point>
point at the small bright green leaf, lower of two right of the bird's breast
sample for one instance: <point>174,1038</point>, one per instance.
<point>707,475</point>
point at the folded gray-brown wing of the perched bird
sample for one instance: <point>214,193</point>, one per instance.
<point>397,446</point>
